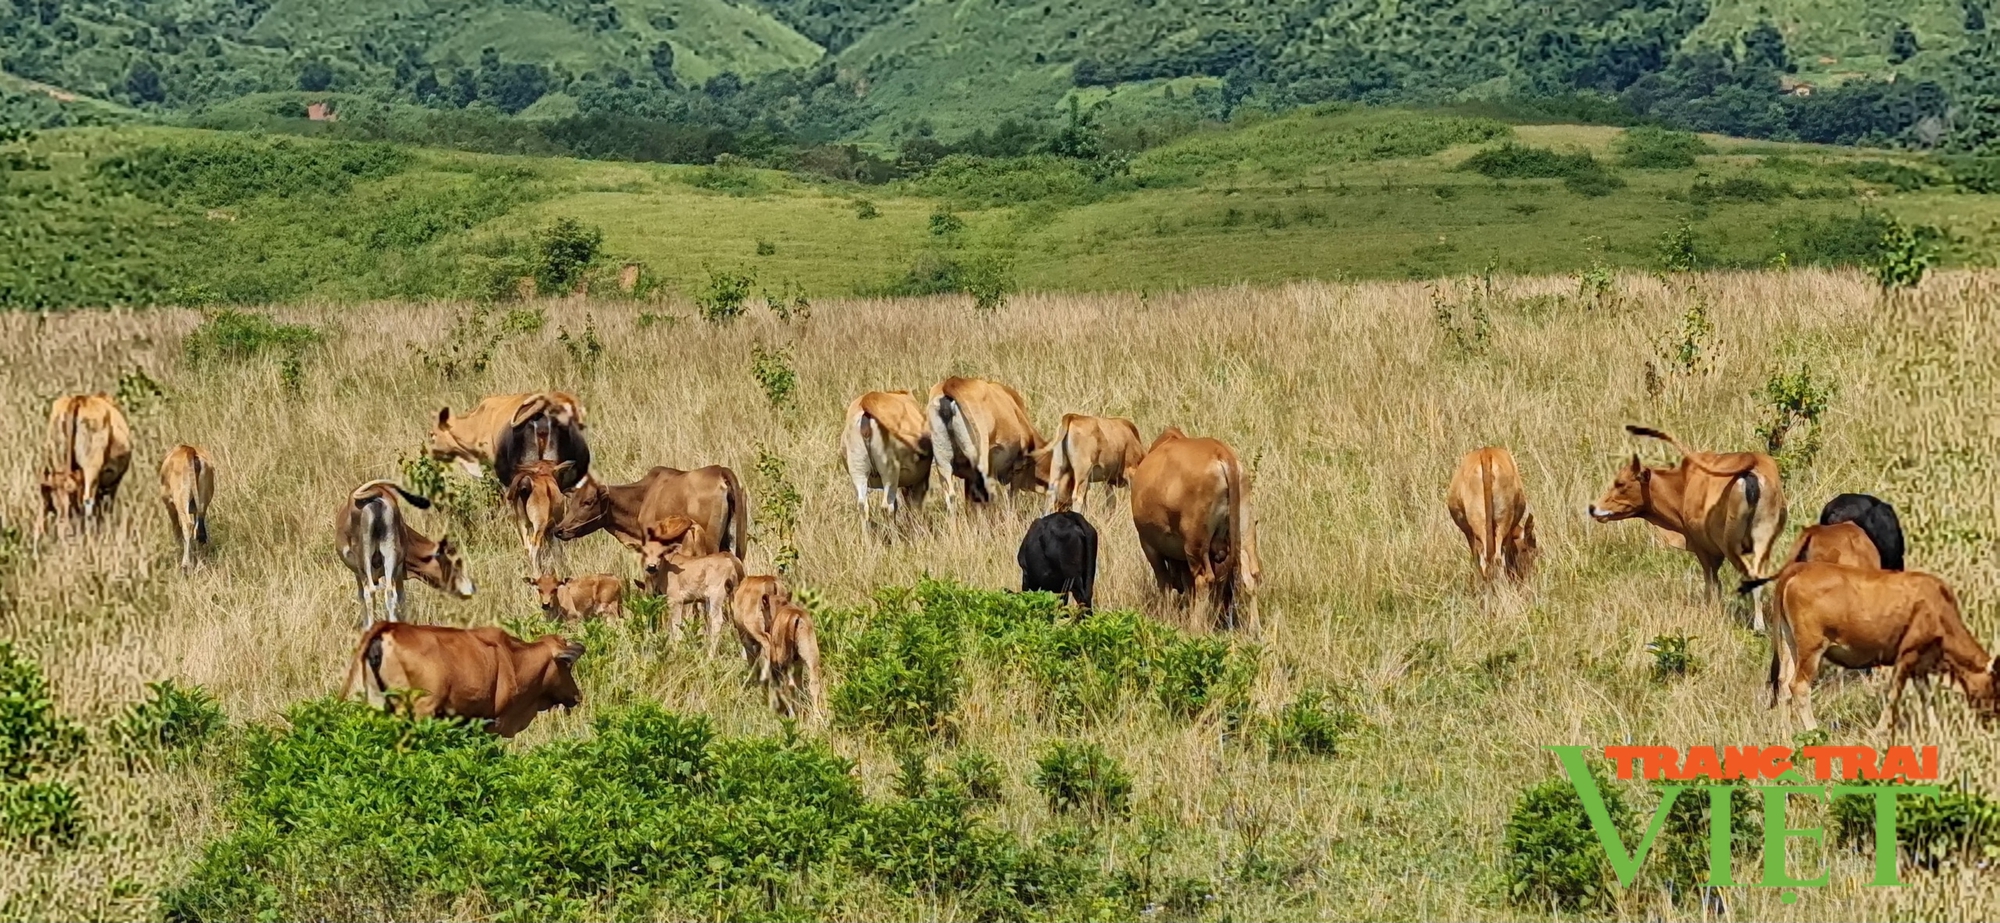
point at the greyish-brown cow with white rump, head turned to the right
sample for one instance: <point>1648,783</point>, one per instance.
<point>383,550</point>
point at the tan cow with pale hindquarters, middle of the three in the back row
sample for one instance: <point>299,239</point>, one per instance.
<point>983,437</point>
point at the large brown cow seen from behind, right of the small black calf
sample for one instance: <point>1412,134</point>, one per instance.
<point>1191,504</point>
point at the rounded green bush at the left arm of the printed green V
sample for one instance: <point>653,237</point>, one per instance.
<point>1553,854</point>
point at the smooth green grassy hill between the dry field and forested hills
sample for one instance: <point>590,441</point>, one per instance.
<point>153,215</point>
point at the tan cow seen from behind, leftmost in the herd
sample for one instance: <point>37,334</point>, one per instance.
<point>85,459</point>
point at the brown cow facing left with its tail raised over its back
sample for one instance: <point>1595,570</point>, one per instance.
<point>1727,506</point>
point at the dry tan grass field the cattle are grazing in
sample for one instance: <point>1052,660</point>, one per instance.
<point>1351,407</point>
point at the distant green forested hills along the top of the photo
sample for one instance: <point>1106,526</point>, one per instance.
<point>1925,73</point>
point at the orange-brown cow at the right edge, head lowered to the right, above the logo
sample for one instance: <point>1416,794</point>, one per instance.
<point>1871,618</point>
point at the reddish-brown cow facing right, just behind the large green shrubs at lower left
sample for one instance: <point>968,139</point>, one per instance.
<point>453,672</point>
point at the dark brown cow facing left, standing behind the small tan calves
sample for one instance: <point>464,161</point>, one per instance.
<point>711,496</point>
